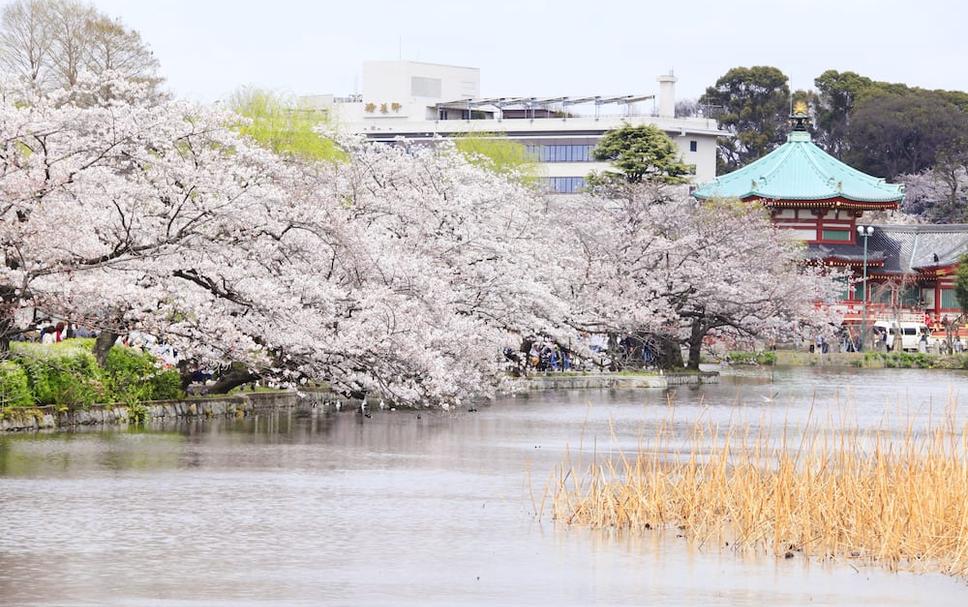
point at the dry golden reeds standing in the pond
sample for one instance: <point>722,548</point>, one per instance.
<point>894,497</point>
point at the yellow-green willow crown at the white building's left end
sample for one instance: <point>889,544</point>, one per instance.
<point>280,125</point>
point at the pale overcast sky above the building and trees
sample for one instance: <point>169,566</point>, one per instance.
<point>208,48</point>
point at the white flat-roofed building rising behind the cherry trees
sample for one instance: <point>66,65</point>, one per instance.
<point>423,100</point>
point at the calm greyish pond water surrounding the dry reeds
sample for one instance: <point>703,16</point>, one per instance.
<point>338,509</point>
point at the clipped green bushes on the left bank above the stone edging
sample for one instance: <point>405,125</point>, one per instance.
<point>66,374</point>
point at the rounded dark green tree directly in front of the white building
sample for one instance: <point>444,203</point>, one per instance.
<point>640,153</point>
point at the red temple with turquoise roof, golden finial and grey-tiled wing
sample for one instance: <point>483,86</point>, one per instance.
<point>822,201</point>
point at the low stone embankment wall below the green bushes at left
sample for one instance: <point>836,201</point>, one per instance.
<point>237,405</point>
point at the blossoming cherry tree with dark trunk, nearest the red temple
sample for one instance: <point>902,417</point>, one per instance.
<point>663,267</point>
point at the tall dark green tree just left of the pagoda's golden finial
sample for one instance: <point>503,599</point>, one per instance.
<point>755,105</point>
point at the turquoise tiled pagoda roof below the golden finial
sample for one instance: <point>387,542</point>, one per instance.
<point>798,170</point>
